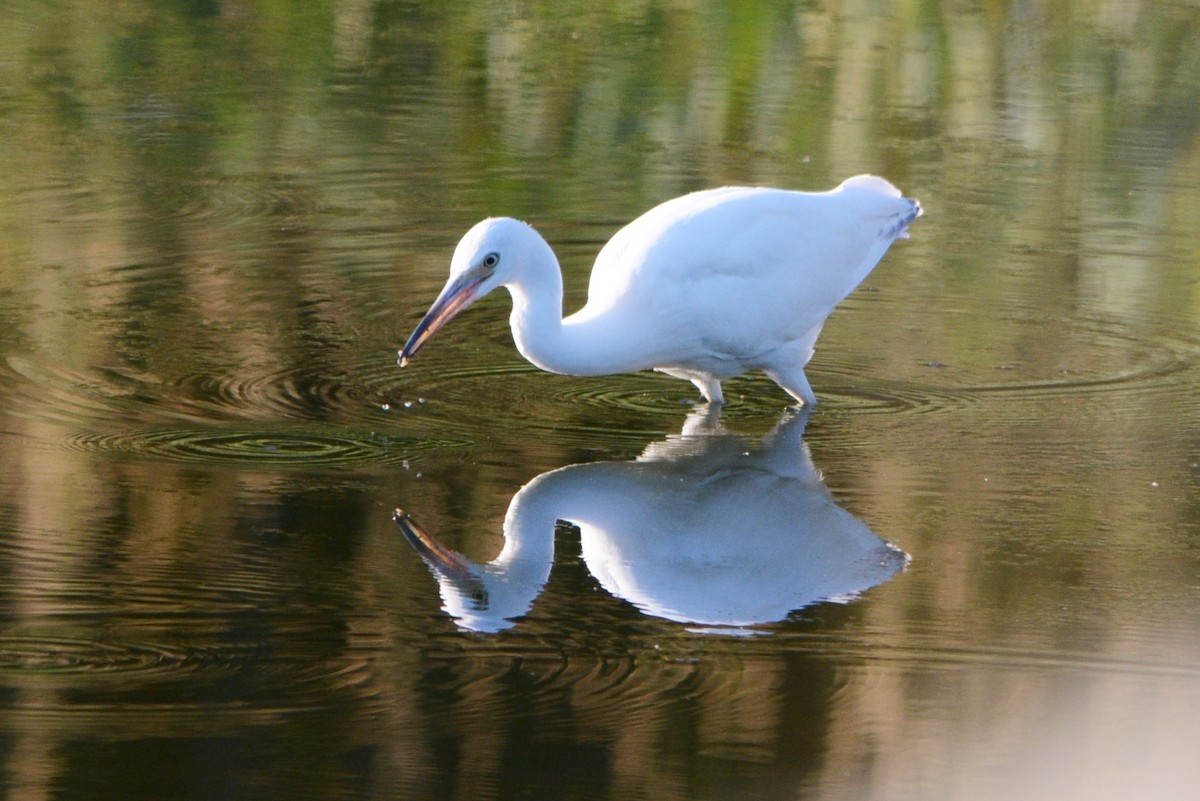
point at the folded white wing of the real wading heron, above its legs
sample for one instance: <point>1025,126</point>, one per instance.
<point>745,269</point>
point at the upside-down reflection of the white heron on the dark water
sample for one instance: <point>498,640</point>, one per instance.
<point>705,528</point>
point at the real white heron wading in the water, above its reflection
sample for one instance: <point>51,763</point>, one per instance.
<point>706,287</point>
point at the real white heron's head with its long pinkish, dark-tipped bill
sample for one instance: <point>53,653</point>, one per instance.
<point>487,258</point>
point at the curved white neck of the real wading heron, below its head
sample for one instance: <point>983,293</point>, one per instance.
<point>541,334</point>
